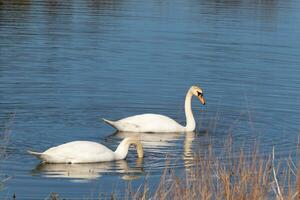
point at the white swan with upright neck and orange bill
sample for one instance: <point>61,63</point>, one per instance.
<point>161,123</point>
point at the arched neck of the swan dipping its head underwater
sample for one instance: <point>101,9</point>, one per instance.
<point>122,150</point>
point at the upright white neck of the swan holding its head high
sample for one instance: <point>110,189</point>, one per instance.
<point>190,121</point>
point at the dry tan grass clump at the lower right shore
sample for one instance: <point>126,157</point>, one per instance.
<point>234,176</point>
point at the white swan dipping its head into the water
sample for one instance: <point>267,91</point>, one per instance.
<point>87,152</point>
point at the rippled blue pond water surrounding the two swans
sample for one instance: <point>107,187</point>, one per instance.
<point>64,65</point>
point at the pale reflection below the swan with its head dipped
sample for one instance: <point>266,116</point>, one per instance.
<point>89,171</point>
